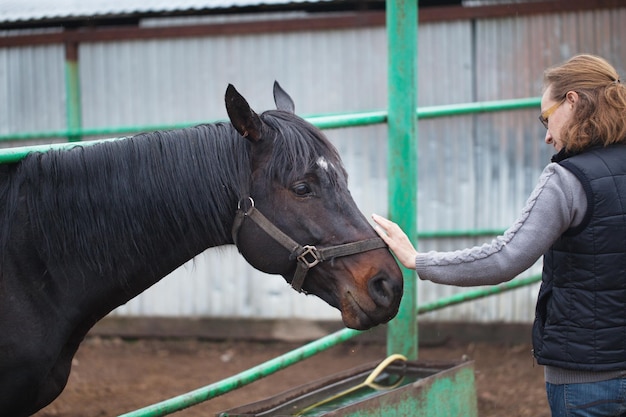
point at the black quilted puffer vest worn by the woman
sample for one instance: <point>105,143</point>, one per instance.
<point>580,318</point>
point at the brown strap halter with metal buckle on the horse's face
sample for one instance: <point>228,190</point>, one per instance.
<point>307,256</point>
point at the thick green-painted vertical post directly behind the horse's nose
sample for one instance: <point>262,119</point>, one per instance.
<point>402,158</point>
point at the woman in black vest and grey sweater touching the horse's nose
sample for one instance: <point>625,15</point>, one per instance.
<point>576,219</point>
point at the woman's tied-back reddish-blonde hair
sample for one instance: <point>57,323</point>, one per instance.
<point>600,114</point>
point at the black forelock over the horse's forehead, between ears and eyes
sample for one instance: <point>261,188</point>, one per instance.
<point>301,147</point>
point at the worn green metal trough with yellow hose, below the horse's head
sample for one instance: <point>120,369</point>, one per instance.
<point>393,387</point>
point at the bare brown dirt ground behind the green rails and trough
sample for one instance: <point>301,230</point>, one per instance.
<point>111,376</point>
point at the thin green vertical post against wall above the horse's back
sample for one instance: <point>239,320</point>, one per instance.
<point>72,93</point>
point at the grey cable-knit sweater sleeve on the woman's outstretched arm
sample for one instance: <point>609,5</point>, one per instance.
<point>557,203</point>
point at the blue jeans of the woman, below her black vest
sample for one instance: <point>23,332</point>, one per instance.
<point>595,399</point>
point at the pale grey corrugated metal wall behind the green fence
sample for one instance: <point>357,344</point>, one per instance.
<point>475,172</point>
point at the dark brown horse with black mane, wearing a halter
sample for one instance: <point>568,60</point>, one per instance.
<point>85,230</point>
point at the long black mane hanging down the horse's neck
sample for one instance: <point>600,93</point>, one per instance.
<point>132,199</point>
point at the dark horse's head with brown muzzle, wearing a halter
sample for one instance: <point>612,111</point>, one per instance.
<point>300,221</point>
